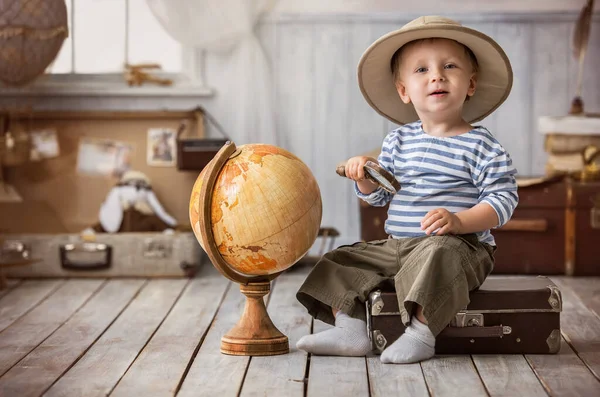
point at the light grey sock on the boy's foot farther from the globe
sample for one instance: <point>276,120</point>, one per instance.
<point>416,344</point>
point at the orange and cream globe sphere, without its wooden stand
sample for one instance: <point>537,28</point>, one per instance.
<point>265,210</point>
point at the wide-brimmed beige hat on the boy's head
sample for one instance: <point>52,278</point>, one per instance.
<point>376,82</point>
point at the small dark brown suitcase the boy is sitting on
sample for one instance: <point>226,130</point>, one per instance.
<point>505,315</point>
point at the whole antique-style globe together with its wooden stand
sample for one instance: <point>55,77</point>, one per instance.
<point>256,210</point>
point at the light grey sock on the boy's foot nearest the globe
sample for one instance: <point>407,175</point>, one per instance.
<point>348,338</point>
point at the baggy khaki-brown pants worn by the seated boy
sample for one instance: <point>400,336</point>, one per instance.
<point>435,272</point>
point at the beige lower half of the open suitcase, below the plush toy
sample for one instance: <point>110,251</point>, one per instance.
<point>141,254</point>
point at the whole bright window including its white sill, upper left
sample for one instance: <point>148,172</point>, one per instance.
<point>104,35</point>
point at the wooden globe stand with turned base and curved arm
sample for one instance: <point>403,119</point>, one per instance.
<point>254,334</point>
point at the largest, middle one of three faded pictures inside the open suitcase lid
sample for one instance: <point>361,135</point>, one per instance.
<point>103,157</point>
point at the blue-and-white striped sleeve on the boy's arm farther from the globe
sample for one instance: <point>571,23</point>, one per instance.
<point>498,187</point>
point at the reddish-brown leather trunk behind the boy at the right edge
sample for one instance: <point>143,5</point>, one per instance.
<point>555,229</point>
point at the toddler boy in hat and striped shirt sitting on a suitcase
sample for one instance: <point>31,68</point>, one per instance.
<point>434,77</point>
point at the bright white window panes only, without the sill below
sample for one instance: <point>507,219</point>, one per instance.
<point>106,34</point>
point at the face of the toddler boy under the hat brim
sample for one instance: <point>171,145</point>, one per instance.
<point>436,76</point>
